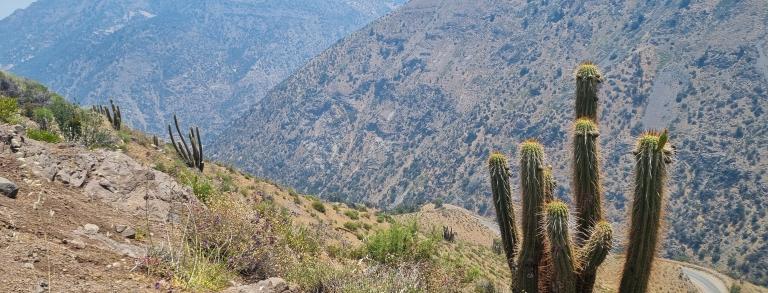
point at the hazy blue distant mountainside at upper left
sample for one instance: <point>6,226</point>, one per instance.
<point>205,60</point>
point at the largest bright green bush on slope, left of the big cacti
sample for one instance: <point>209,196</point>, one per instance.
<point>400,242</point>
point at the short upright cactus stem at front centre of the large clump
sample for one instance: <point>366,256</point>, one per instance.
<point>564,264</point>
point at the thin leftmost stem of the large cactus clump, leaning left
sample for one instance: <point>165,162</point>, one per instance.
<point>502,200</point>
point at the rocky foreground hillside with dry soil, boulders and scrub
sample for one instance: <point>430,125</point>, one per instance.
<point>128,215</point>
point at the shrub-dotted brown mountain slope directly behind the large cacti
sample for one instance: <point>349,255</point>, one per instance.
<point>408,109</point>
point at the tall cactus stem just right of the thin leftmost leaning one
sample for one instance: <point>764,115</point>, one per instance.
<point>531,251</point>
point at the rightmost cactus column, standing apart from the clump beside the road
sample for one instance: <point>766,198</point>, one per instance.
<point>651,158</point>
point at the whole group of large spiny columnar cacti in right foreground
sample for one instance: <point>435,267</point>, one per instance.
<point>548,257</point>
